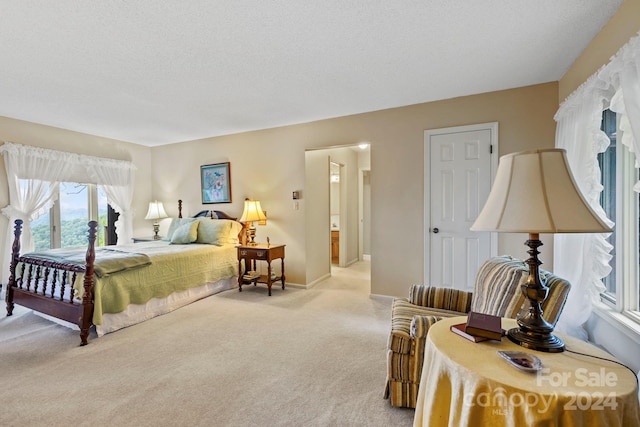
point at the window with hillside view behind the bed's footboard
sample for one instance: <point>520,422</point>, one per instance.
<point>65,225</point>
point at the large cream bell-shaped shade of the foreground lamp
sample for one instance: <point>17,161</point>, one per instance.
<point>534,192</point>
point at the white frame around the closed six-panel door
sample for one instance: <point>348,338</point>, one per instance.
<point>493,128</point>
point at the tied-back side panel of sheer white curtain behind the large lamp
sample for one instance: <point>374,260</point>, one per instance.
<point>583,259</point>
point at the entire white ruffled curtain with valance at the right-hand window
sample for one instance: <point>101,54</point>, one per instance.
<point>583,259</point>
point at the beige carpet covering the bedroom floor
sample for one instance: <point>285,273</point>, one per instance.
<point>299,358</point>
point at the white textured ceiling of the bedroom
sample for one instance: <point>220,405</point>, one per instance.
<point>155,72</point>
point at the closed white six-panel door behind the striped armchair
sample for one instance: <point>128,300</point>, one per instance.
<point>459,181</point>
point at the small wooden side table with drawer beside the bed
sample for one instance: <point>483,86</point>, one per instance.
<point>259,252</point>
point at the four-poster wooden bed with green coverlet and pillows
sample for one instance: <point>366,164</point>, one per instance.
<point>113,287</point>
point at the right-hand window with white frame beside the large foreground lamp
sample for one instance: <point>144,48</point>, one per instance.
<point>622,205</point>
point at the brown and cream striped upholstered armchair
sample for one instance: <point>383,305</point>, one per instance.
<point>497,291</point>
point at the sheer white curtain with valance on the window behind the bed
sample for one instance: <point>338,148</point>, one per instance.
<point>41,170</point>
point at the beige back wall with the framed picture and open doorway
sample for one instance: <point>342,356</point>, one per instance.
<point>268,165</point>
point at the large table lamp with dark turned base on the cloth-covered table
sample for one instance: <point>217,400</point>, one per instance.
<point>534,192</point>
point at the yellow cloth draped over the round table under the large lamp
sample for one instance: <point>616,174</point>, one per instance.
<point>465,383</point>
